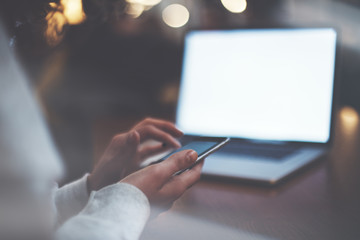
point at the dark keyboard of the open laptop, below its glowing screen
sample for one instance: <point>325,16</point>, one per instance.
<point>270,151</point>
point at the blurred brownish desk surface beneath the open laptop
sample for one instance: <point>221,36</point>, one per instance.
<point>321,202</point>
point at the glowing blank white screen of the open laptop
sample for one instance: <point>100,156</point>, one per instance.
<point>258,84</point>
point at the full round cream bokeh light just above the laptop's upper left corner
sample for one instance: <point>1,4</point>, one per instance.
<point>175,15</point>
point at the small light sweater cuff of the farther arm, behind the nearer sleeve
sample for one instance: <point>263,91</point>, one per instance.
<point>70,199</point>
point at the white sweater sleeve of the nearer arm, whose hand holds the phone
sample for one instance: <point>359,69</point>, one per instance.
<point>119,211</point>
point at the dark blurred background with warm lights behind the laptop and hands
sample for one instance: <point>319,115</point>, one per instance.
<point>99,66</point>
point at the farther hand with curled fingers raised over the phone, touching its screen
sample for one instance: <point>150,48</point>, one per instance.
<point>125,152</point>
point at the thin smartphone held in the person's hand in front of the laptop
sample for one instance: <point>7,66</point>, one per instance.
<point>204,146</point>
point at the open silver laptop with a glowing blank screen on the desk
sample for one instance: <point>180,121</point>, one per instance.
<point>269,90</point>
